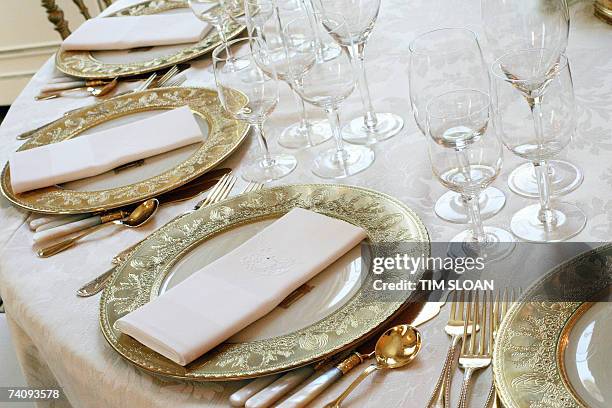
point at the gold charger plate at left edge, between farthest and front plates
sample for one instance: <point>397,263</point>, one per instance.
<point>224,135</point>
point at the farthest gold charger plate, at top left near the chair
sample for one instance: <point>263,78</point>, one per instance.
<point>86,64</point>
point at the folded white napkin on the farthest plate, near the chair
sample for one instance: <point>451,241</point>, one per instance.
<point>120,33</point>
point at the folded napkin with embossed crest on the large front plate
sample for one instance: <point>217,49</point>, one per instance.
<point>242,286</point>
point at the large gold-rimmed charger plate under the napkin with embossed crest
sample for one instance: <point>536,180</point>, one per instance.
<point>249,354</point>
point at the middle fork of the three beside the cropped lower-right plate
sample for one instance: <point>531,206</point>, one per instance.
<point>476,353</point>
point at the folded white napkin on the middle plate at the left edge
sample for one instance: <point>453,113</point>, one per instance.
<point>94,154</point>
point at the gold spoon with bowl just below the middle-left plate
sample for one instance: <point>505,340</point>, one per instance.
<point>140,215</point>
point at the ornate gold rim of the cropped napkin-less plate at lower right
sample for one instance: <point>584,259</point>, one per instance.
<point>534,375</point>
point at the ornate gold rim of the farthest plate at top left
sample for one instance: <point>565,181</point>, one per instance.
<point>82,64</point>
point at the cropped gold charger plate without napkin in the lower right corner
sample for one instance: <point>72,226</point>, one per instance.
<point>530,358</point>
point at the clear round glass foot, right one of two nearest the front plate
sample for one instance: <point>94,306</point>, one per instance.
<point>332,164</point>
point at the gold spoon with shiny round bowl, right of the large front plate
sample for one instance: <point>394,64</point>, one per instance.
<point>396,347</point>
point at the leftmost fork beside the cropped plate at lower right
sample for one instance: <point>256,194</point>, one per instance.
<point>440,397</point>
